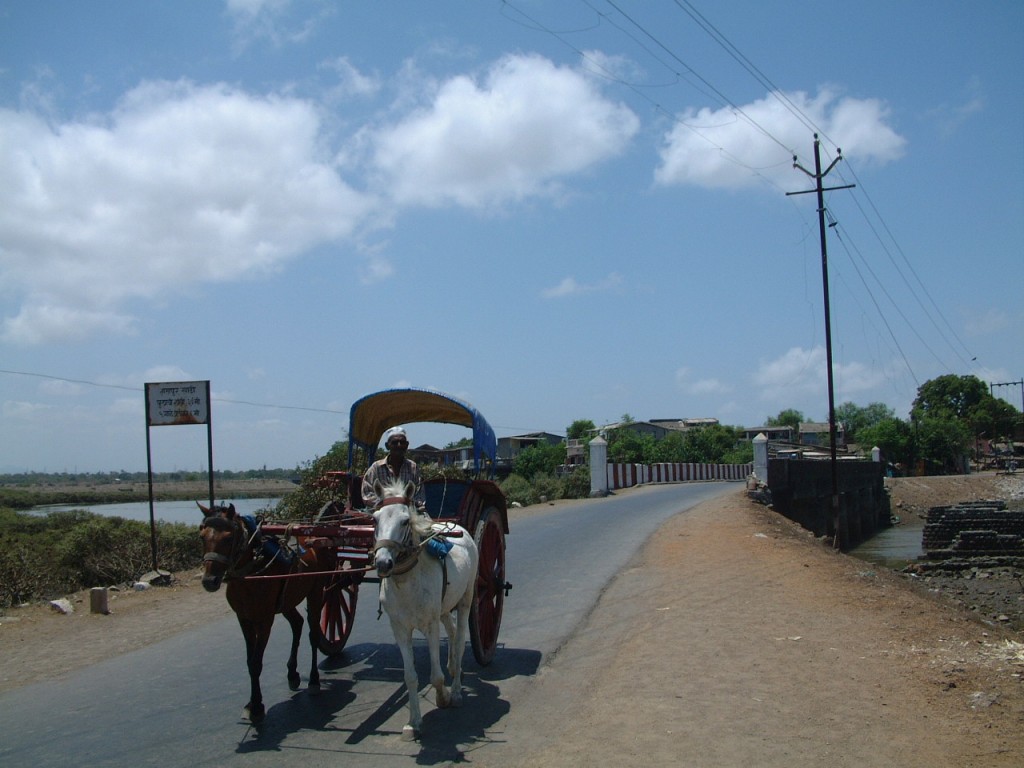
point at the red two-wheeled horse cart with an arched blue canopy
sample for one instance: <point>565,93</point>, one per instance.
<point>345,529</point>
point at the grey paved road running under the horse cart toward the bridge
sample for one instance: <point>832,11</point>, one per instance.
<point>179,703</point>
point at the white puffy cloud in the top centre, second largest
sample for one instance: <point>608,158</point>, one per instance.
<point>529,124</point>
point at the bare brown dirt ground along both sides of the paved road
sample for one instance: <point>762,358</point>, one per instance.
<point>735,638</point>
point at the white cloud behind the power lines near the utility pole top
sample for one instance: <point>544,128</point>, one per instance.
<point>722,149</point>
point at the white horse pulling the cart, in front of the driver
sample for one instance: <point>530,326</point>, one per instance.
<point>419,591</point>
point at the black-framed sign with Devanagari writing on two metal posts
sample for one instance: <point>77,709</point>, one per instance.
<point>175,404</point>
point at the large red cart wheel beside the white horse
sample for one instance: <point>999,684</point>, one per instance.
<point>486,616</point>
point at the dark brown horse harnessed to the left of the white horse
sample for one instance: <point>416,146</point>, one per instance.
<point>233,551</point>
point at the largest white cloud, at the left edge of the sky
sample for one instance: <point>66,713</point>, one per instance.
<point>180,185</point>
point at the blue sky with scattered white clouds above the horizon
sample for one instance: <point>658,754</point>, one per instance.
<point>557,211</point>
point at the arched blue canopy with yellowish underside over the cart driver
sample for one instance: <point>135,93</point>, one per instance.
<point>372,416</point>
